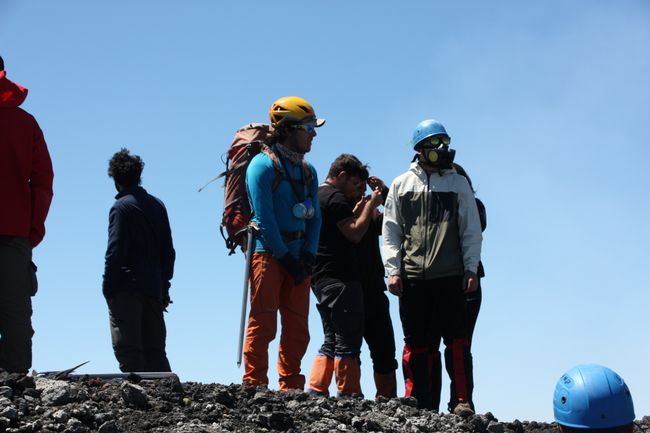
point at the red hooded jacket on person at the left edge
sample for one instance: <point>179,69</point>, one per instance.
<point>25,168</point>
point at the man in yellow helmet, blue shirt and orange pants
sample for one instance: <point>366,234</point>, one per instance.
<point>288,226</point>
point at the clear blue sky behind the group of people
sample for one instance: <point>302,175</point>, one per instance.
<point>546,102</point>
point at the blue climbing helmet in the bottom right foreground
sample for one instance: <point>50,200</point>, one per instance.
<point>592,396</point>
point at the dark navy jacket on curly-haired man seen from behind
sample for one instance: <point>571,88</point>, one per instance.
<point>140,253</point>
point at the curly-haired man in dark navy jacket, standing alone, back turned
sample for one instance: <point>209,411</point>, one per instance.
<point>139,266</point>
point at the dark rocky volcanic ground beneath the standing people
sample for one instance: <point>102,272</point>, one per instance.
<point>29,404</point>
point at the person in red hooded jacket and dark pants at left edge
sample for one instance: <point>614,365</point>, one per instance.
<point>25,196</point>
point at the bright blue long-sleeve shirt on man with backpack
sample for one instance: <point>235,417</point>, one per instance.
<point>272,207</point>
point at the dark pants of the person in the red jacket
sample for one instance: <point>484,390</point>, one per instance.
<point>17,286</point>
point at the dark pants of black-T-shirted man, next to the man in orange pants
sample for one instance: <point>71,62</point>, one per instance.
<point>340,305</point>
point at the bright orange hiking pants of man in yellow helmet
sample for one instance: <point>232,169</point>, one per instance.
<point>273,289</point>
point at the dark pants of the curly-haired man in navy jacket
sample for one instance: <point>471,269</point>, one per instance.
<point>138,332</point>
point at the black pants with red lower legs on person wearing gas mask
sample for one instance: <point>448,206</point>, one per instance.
<point>431,311</point>
